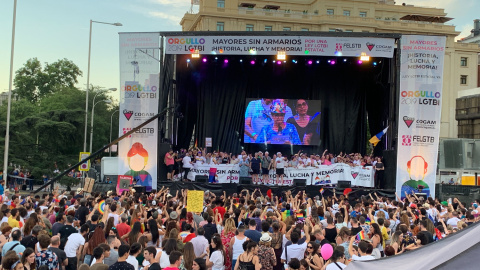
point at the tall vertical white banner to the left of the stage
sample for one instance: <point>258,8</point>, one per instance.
<point>139,79</point>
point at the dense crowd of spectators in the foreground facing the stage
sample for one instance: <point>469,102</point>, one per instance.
<point>243,231</point>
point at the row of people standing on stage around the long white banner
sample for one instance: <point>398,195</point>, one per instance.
<point>259,164</point>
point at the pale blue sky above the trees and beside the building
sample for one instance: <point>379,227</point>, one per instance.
<point>55,29</point>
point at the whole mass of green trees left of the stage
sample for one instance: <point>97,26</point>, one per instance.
<point>48,119</point>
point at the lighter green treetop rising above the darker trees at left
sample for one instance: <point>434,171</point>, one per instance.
<point>32,82</point>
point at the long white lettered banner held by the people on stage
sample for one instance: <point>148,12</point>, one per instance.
<point>324,175</point>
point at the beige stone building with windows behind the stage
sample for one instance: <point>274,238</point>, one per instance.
<point>368,16</point>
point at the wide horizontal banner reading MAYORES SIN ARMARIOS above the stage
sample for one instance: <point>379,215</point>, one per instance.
<point>292,45</point>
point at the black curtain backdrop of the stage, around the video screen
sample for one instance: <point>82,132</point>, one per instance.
<point>212,97</point>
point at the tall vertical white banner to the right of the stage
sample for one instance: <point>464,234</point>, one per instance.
<point>421,81</point>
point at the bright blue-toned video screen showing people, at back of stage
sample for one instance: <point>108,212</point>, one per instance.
<point>271,121</point>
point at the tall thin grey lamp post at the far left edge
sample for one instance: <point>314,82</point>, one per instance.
<point>7,134</point>
